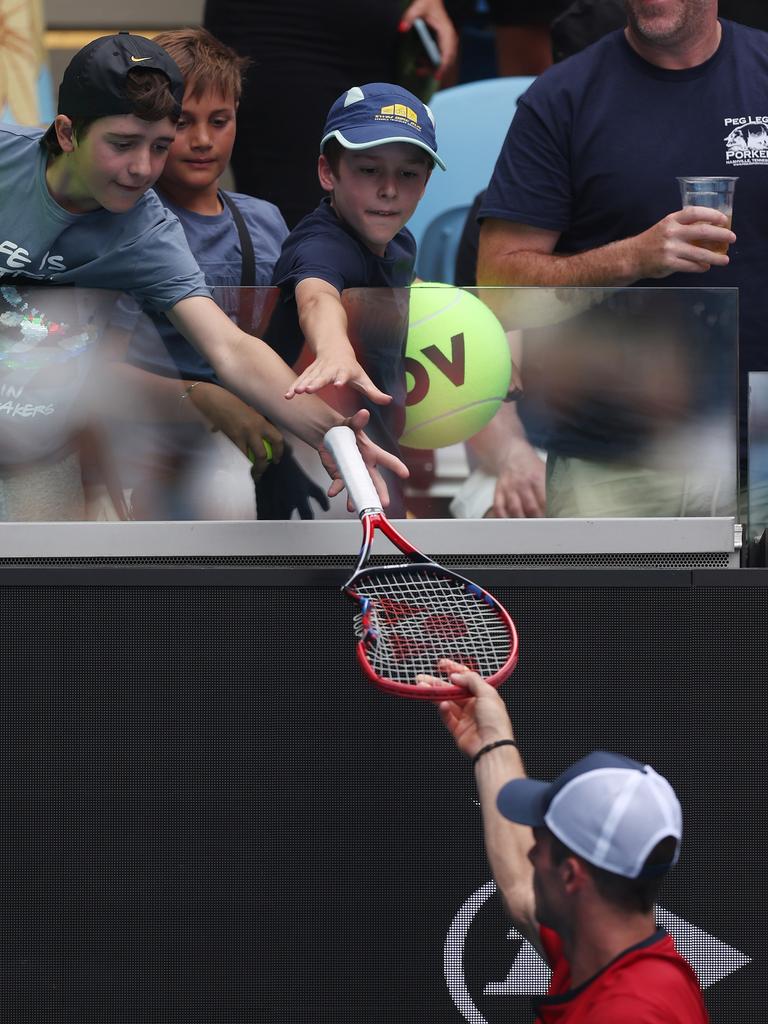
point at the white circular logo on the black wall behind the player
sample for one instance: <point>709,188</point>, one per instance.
<point>529,975</point>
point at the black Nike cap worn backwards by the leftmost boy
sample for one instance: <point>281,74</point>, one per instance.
<point>94,84</point>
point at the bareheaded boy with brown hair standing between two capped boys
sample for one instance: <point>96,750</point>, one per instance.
<point>236,241</point>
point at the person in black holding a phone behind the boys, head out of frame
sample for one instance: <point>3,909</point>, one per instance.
<point>305,56</point>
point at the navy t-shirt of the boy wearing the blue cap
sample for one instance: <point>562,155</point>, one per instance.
<point>323,246</point>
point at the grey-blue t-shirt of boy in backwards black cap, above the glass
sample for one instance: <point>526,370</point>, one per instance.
<point>143,252</point>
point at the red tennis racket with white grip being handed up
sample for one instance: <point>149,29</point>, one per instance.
<point>414,613</point>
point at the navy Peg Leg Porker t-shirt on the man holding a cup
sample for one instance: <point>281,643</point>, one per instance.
<point>599,141</point>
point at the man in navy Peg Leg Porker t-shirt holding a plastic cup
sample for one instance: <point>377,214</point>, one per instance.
<point>585,190</point>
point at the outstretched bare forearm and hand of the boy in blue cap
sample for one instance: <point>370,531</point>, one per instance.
<point>324,324</point>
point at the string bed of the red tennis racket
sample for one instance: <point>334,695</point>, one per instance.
<point>411,620</point>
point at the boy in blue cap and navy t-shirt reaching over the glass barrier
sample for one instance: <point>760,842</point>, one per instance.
<point>377,153</point>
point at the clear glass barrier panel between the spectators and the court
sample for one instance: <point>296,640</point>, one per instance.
<point>511,402</point>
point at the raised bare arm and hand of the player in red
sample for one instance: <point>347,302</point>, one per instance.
<point>475,724</point>
